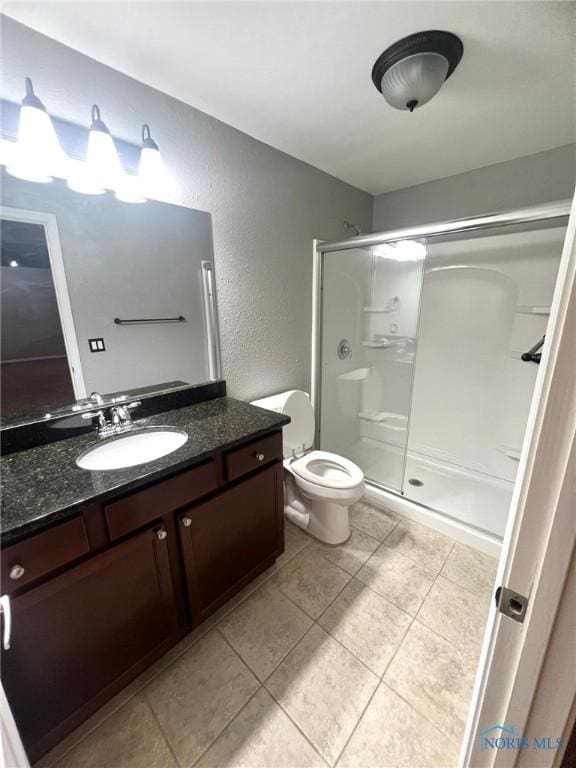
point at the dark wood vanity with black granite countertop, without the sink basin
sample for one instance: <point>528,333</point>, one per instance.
<point>107,570</point>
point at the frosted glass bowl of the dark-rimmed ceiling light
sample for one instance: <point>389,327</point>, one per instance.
<point>415,80</point>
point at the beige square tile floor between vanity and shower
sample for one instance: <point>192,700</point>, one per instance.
<point>361,655</point>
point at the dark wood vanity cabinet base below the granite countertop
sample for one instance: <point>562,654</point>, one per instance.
<point>97,598</point>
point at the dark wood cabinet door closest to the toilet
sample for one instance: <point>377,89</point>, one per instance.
<point>231,538</point>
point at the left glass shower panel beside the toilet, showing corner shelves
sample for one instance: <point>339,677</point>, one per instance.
<point>369,324</point>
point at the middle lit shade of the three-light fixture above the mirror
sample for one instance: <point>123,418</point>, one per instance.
<point>102,168</point>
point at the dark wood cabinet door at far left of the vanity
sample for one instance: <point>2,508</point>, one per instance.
<point>83,634</point>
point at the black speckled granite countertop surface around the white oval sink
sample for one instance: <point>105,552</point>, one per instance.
<point>44,484</point>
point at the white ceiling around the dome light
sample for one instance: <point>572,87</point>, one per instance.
<point>296,75</point>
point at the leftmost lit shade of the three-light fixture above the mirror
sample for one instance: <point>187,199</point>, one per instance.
<point>37,154</point>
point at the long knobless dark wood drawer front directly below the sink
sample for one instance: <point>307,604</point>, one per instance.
<point>142,507</point>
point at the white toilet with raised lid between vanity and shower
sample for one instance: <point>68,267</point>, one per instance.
<point>319,486</point>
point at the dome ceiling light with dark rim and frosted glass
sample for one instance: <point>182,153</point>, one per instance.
<point>412,71</point>
